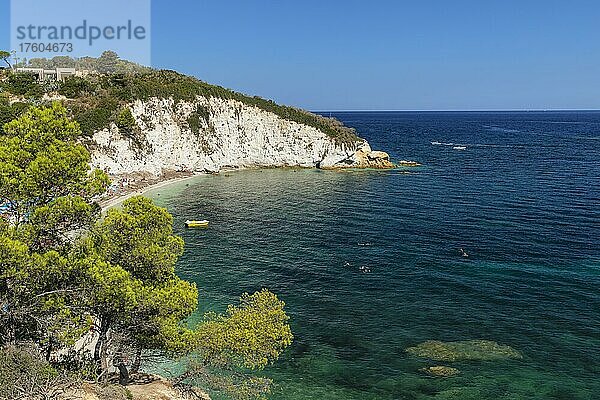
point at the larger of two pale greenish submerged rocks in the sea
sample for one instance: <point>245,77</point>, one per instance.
<point>463,350</point>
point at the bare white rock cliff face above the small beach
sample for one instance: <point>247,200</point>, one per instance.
<point>230,134</point>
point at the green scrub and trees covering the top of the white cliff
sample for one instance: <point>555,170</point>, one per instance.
<point>111,85</point>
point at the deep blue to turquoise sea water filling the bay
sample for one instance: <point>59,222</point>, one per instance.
<point>368,262</point>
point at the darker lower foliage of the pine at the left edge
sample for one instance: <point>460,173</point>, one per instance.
<point>35,293</point>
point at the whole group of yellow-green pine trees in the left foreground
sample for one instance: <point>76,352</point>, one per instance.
<point>83,295</point>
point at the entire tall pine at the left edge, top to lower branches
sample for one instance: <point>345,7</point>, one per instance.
<point>45,181</point>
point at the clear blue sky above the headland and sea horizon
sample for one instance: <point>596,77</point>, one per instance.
<point>385,55</point>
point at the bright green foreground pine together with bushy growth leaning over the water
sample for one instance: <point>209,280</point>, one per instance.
<point>140,305</point>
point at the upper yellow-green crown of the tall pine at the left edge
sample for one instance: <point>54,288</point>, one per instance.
<point>45,178</point>
